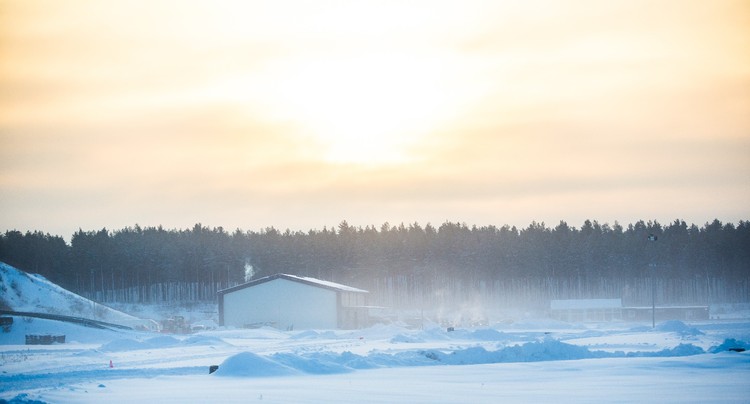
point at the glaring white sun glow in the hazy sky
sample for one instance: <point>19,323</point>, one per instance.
<point>369,110</point>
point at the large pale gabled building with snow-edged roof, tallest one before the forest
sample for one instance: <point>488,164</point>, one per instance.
<point>293,302</point>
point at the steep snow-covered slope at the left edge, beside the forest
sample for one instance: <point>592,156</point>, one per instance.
<point>23,292</point>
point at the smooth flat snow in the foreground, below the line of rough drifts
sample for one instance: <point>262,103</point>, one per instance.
<point>700,379</point>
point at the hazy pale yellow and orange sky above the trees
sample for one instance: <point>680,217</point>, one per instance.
<point>301,114</point>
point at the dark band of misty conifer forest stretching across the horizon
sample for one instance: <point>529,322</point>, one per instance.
<point>418,260</point>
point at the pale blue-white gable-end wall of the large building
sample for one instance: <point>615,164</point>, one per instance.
<point>282,304</point>
